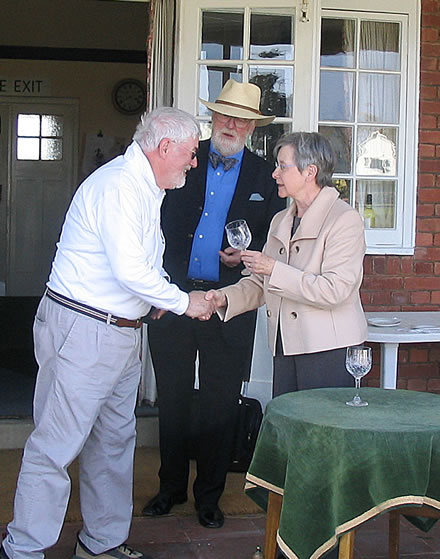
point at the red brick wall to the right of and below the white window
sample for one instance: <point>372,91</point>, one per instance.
<point>410,283</point>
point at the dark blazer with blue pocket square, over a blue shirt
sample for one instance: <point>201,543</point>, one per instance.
<point>255,200</point>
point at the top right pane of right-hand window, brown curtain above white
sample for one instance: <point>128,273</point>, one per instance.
<point>379,45</point>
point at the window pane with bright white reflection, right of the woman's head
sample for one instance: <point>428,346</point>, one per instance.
<point>376,151</point>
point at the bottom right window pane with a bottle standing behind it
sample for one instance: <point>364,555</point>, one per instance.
<point>383,194</point>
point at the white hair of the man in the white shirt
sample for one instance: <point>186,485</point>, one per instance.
<point>165,122</point>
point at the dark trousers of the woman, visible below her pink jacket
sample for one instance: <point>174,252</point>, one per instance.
<point>325,369</point>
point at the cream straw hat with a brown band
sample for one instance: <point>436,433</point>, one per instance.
<point>240,100</point>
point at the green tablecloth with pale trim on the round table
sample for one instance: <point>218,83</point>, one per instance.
<point>337,466</point>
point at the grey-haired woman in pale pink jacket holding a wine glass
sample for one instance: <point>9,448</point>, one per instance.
<point>308,274</point>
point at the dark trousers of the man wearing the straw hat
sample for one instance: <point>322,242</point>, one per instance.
<point>174,346</point>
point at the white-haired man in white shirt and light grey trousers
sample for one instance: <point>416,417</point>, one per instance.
<point>106,275</point>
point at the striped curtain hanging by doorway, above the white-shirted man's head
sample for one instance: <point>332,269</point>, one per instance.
<point>160,48</point>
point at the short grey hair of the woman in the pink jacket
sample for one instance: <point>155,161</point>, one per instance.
<point>310,148</point>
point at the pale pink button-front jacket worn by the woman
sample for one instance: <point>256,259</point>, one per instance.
<point>313,291</point>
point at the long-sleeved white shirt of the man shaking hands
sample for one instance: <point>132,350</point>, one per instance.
<point>110,251</point>
